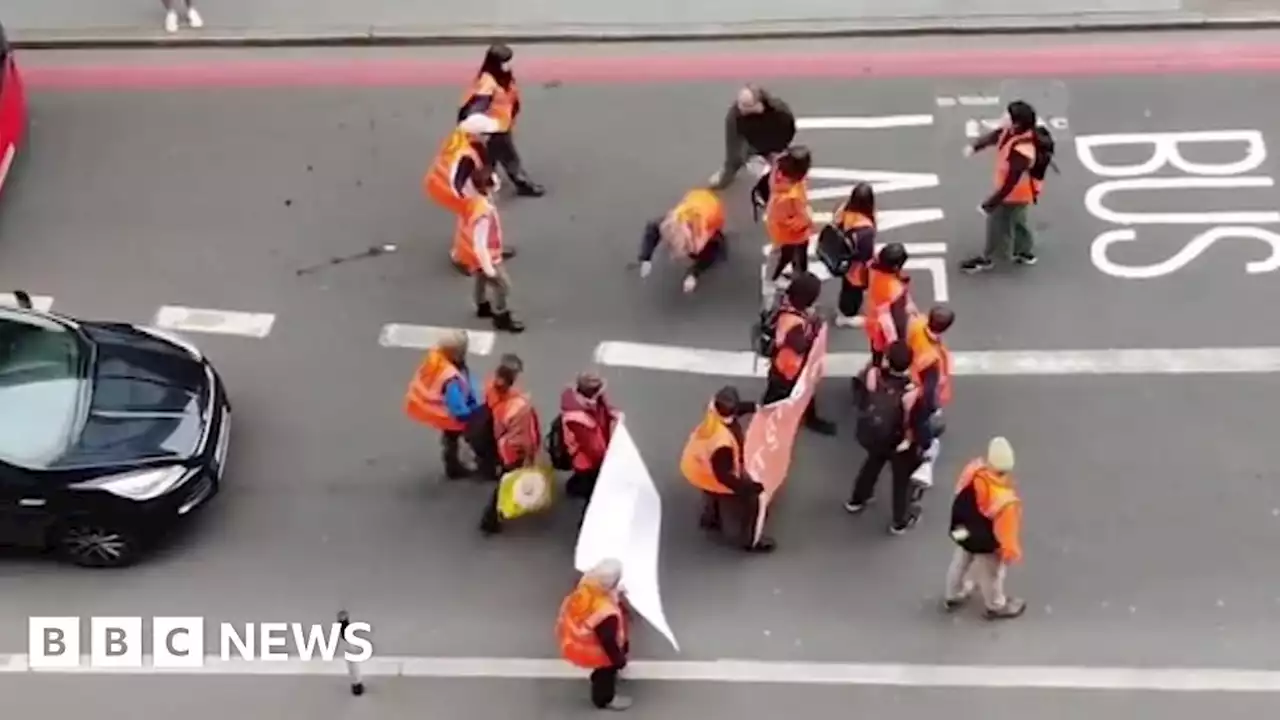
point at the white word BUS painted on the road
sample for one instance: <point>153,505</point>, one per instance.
<point>1167,152</point>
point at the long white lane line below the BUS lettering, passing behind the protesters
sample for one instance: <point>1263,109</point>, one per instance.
<point>998,363</point>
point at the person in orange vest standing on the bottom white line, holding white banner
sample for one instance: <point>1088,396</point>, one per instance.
<point>593,635</point>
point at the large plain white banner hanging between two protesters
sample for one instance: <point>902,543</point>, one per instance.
<point>624,522</point>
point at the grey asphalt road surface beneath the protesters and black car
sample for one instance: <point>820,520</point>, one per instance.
<point>1153,504</point>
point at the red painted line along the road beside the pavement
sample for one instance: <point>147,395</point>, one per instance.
<point>1073,61</point>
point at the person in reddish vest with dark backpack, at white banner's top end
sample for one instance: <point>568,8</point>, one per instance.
<point>589,422</point>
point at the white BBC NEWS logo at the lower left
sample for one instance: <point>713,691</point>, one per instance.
<point>180,642</point>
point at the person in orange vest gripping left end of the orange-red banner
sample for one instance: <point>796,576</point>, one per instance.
<point>714,463</point>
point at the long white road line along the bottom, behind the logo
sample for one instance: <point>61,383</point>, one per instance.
<point>739,672</point>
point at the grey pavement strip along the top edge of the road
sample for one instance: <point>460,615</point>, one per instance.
<point>94,22</point>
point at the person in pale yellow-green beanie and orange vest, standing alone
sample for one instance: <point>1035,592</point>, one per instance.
<point>986,527</point>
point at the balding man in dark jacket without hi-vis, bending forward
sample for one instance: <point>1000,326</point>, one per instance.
<point>758,124</point>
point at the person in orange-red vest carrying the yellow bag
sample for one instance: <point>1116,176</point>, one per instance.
<point>515,438</point>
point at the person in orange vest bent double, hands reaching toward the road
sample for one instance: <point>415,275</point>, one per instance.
<point>693,231</point>
